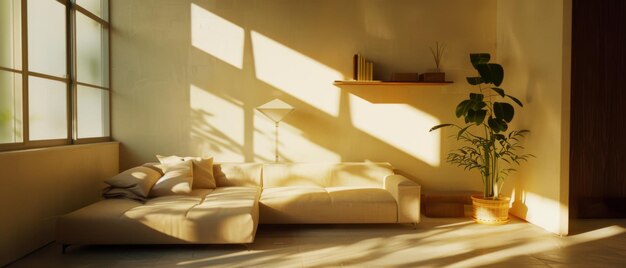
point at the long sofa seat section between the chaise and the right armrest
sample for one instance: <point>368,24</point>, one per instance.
<point>306,204</point>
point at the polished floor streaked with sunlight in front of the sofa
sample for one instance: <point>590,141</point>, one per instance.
<point>434,243</point>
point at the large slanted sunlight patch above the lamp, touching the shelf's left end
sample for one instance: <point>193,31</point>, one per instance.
<point>296,74</point>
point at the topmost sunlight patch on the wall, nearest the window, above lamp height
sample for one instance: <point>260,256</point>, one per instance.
<point>217,36</point>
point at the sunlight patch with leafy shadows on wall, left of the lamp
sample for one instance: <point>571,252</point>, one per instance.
<point>217,126</point>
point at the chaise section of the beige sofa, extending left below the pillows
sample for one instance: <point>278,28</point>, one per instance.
<point>174,219</point>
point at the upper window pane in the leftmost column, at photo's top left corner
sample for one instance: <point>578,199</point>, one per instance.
<point>11,34</point>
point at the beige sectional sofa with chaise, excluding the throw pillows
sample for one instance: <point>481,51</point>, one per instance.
<point>248,194</point>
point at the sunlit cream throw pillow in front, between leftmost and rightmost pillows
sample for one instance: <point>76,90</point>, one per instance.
<point>178,177</point>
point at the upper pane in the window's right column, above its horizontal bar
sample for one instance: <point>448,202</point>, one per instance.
<point>92,53</point>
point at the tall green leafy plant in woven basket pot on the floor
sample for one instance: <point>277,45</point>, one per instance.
<point>489,146</point>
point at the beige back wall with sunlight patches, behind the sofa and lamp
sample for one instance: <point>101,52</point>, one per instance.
<point>187,76</point>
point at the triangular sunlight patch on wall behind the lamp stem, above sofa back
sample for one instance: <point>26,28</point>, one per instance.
<point>293,146</point>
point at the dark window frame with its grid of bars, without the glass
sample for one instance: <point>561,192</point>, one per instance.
<point>71,7</point>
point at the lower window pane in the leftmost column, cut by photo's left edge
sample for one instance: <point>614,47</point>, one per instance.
<point>10,107</point>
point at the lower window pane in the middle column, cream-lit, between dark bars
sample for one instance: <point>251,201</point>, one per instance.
<point>47,109</point>
